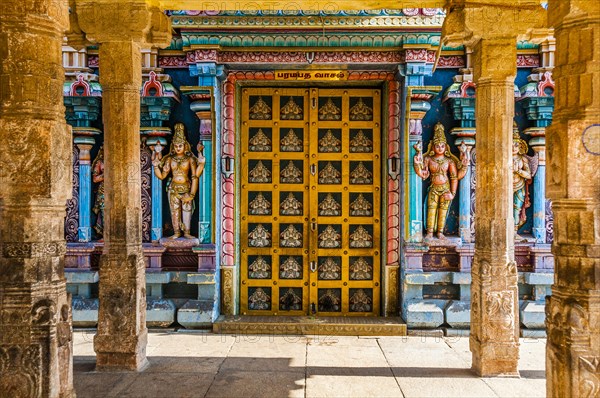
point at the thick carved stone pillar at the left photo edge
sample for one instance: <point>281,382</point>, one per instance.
<point>35,183</point>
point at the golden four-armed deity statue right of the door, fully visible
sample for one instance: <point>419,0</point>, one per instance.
<point>445,170</point>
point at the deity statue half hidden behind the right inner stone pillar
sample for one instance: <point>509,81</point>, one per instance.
<point>524,168</point>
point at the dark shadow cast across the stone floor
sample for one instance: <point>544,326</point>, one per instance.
<point>169,376</point>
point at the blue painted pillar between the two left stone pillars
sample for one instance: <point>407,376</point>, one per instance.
<point>82,101</point>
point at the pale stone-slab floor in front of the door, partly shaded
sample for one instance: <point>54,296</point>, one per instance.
<point>208,365</point>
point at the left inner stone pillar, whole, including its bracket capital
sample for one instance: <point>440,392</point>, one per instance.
<point>122,335</point>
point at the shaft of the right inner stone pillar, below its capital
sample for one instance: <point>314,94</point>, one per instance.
<point>494,306</point>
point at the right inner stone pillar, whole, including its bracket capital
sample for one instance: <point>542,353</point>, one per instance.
<point>492,31</point>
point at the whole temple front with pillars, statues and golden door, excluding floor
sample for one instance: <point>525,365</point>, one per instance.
<point>350,168</point>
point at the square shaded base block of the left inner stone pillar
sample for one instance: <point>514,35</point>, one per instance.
<point>122,352</point>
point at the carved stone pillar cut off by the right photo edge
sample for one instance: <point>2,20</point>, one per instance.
<point>573,310</point>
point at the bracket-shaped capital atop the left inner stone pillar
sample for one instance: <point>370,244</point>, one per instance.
<point>106,21</point>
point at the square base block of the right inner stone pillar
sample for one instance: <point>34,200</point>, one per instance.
<point>495,359</point>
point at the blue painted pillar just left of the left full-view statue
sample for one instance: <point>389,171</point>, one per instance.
<point>157,101</point>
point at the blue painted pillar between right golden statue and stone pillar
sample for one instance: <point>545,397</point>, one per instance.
<point>461,98</point>
